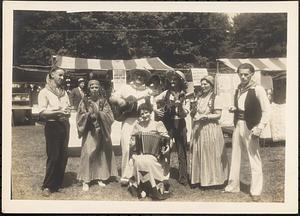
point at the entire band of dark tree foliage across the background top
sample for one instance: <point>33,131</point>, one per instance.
<point>179,39</point>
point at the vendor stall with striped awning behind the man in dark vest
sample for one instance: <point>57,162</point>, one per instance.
<point>271,74</point>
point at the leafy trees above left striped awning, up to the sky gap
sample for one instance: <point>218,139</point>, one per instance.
<point>180,39</point>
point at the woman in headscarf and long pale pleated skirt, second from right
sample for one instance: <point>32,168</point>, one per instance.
<point>209,164</point>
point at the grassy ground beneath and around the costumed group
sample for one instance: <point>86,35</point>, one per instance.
<point>29,160</point>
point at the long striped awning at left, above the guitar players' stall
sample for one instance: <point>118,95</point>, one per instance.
<point>100,64</point>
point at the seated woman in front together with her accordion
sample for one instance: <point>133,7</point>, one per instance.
<point>149,157</point>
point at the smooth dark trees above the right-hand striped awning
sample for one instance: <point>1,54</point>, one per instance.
<point>259,35</point>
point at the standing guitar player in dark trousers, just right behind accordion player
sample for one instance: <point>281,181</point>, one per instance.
<point>173,116</point>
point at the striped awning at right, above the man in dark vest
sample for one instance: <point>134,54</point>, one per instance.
<point>276,67</point>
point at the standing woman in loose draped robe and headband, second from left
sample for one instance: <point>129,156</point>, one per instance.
<point>94,120</point>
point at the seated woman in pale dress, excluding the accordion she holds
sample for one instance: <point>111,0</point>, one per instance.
<point>150,174</point>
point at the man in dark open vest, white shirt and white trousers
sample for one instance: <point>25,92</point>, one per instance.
<point>251,115</point>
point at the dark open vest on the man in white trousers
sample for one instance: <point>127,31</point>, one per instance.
<point>253,111</point>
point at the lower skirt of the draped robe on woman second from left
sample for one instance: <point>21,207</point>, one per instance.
<point>96,164</point>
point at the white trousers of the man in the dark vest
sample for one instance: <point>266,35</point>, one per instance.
<point>243,138</point>
